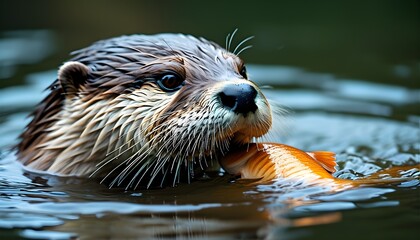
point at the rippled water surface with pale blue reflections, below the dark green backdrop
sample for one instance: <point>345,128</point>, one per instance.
<point>369,125</point>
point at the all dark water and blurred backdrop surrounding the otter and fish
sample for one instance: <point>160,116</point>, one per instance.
<point>348,73</point>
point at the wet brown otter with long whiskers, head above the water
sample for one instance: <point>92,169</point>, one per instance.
<point>144,110</point>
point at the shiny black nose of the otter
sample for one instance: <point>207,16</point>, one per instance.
<point>240,98</point>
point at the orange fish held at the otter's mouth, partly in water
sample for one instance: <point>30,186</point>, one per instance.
<point>268,161</point>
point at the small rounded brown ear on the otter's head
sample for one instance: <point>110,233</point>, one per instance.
<point>71,76</point>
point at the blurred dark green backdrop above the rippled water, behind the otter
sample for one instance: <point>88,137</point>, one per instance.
<point>374,40</point>
